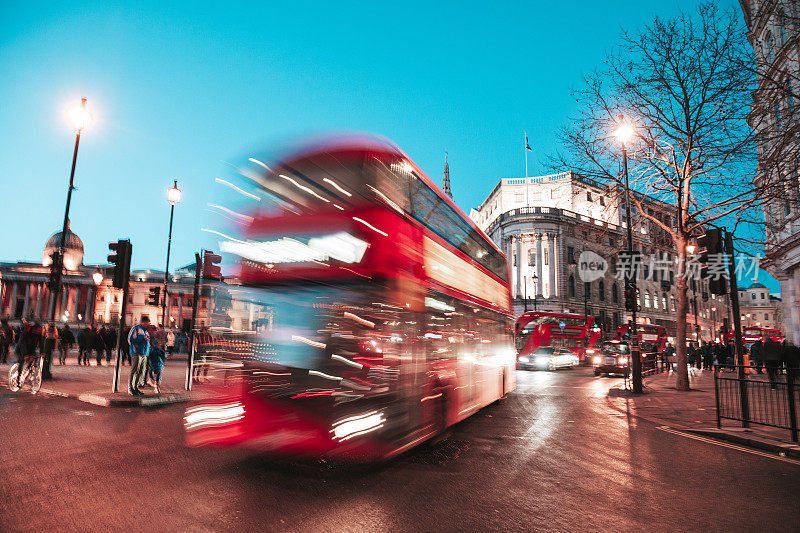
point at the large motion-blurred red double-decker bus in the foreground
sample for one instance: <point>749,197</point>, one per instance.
<point>371,312</point>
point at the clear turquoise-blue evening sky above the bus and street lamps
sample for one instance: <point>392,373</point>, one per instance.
<point>180,88</point>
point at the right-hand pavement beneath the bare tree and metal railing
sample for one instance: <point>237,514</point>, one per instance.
<point>695,411</point>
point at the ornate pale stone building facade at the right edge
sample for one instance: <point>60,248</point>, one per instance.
<point>773,31</point>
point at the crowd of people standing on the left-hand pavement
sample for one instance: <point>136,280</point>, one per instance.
<point>31,337</point>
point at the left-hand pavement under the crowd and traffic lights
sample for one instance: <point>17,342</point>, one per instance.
<point>93,384</point>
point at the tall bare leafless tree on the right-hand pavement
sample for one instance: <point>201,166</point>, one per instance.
<point>680,83</point>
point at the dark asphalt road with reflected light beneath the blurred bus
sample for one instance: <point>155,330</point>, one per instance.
<point>551,456</point>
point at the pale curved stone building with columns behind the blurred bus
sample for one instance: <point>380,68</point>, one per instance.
<point>547,224</point>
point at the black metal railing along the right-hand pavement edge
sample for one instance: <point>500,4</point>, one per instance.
<point>763,399</point>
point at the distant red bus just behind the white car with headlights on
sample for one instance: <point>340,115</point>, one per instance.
<point>536,329</point>
